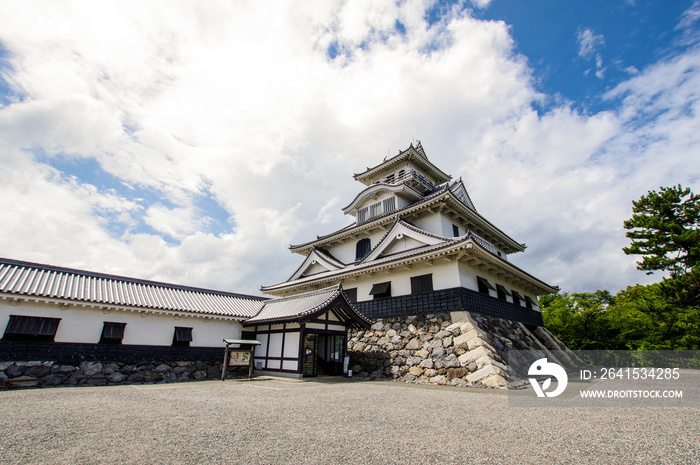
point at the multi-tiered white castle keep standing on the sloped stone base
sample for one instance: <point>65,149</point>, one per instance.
<point>417,245</point>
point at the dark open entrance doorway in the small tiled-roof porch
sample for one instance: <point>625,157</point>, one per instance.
<point>323,354</point>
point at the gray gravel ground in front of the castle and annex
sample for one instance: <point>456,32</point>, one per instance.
<point>275,420</point>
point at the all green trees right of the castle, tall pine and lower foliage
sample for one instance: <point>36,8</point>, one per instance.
<point>661,316</point>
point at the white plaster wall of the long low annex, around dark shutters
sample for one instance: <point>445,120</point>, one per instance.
<point>84,324</point>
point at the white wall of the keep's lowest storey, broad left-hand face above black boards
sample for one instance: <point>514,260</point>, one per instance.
<point>445,276</point>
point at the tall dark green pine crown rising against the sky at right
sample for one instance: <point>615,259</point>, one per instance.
<point>664,230</point>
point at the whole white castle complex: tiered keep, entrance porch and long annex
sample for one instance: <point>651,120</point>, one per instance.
<point>416,246</point>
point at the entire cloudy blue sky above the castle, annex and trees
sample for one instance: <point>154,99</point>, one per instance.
<point>193,143</point>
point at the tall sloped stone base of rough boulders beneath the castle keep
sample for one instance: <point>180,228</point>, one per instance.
<point>457,348</point>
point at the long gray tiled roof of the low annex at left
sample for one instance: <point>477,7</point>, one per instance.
<point>37,280</point>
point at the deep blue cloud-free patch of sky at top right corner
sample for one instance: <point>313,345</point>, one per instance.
<point>563,40</point>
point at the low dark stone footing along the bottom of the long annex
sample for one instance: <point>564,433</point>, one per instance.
<point>48,373</point>
